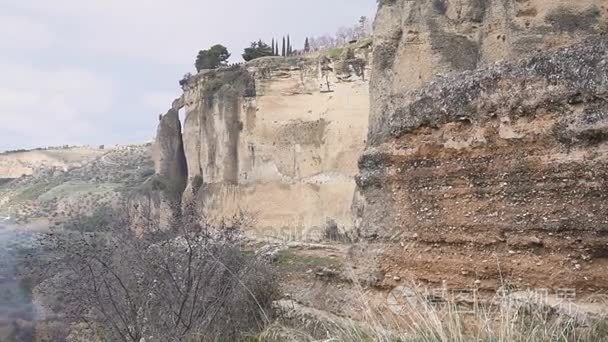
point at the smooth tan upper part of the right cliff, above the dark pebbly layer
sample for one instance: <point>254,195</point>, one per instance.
<point>417,40</point>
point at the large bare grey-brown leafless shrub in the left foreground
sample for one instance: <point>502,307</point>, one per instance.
<point>191,283</point>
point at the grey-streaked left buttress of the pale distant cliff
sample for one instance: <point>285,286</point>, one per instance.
<point>215,102</point>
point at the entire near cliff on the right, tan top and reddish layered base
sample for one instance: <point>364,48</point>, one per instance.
<point>470,159</point>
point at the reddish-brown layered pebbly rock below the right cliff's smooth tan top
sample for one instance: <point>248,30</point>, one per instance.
<point>513,146</point>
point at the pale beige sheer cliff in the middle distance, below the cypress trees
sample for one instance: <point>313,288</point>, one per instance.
<point>279,139</point>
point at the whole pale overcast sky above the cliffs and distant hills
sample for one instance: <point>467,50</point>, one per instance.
<point>100,71</point>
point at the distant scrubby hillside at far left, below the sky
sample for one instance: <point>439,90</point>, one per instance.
<point>71,182</point>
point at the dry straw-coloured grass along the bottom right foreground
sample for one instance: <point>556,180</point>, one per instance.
<point>417,319</point>
